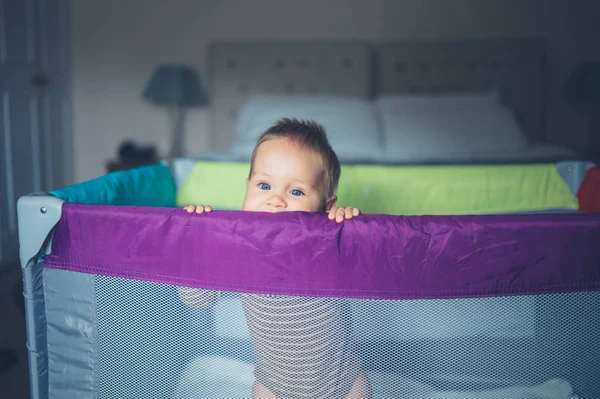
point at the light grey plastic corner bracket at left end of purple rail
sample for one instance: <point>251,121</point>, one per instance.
<point>38,213</point>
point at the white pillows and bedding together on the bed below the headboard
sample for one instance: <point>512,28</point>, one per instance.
<point>400,129</point>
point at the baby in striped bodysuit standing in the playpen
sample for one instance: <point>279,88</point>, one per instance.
<point>303,345</point>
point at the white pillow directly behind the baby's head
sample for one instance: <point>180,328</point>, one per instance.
<point>350,123</point>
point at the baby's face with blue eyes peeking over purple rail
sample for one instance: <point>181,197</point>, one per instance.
<point>285,177</point>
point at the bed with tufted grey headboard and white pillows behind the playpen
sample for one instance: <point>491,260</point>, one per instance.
<point>398,102</point>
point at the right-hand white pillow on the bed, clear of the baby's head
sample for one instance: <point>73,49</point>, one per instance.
<point>451,134</point>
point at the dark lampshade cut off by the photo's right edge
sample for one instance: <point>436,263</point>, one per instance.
<point>583,86</point>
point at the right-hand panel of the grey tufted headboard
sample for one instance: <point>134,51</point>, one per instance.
<point>515,67</point>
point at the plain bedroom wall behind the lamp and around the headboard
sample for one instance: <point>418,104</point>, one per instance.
<point>118,42</point>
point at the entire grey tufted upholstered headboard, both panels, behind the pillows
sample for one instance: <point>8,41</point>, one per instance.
<point>240,70</point>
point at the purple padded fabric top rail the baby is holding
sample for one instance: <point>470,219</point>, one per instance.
<point>372,256</point>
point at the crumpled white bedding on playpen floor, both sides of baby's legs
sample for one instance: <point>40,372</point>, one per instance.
<point>222,377</point>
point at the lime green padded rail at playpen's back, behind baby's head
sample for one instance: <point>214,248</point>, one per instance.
<point>406,190</point>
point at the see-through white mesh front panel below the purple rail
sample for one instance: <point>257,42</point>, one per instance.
<point>152,345</point>
